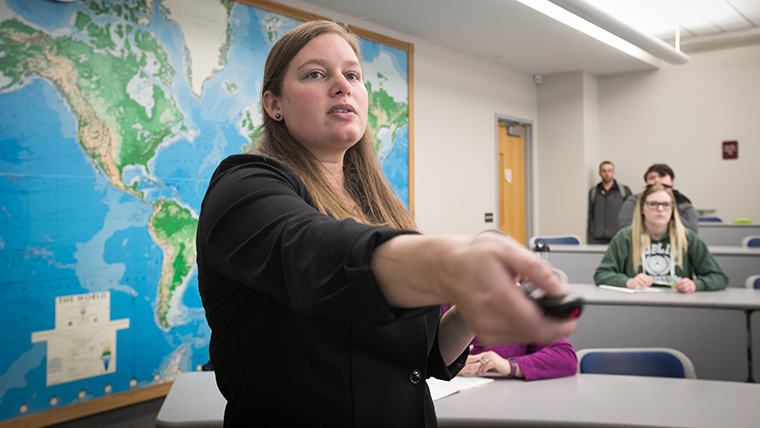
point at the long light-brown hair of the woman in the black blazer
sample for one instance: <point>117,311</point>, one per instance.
<point>363,177</point>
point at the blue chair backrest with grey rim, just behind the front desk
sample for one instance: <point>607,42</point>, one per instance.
<point>659,362</point>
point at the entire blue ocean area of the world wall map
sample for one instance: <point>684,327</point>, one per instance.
<point>65,229</point>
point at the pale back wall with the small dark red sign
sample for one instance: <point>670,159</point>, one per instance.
<point>680,115</point>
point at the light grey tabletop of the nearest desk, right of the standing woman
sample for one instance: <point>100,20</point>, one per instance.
<point>603,401</point>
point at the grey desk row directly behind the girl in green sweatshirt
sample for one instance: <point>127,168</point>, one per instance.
<point>579,262</point>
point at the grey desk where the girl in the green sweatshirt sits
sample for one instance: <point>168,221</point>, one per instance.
<point>711,328</point>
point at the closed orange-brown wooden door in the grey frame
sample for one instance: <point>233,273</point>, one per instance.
<point>512,181</point>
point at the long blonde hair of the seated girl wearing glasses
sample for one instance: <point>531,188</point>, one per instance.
<point>640,238</point>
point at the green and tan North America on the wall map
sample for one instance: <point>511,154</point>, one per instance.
<point>114,130</point>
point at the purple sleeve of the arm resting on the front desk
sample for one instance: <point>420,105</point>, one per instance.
<point>549,361</point>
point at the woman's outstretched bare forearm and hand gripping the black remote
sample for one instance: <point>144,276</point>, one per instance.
<point>479,275</point>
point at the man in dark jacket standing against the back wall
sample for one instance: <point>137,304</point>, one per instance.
<point>604,203</point>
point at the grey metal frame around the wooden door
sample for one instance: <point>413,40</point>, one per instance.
<point>529,156</point>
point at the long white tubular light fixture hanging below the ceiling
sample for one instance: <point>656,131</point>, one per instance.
<point>590,20</point>
